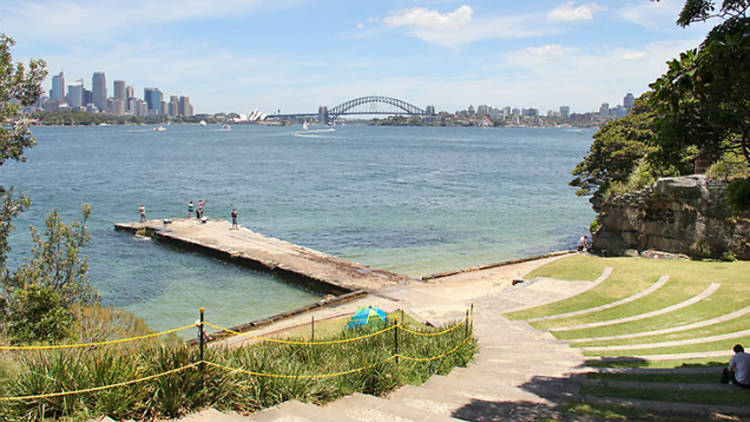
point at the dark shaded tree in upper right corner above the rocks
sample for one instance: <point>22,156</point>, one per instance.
<point>702,102</point>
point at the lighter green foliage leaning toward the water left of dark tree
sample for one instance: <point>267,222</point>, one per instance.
<point>618,147</point>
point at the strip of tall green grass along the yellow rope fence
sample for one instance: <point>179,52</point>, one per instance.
<point>31,373</point>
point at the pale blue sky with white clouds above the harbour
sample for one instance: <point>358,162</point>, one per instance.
<point>295,55</point>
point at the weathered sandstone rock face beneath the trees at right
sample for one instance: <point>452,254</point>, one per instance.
<point>686,214</point>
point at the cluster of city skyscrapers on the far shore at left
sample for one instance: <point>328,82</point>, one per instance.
<point>123,102</point>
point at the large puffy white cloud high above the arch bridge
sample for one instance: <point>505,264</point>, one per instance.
<point>460,27</point>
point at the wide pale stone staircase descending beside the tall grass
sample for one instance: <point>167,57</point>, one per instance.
<point>519,374</point>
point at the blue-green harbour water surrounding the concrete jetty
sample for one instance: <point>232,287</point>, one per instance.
<point>414,200</point>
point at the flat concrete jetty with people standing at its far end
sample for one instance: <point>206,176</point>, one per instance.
<point>315,270</point>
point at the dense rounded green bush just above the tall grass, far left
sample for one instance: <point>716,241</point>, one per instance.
<point>36,314</point>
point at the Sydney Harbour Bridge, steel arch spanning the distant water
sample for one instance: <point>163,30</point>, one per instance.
<point>370,105</point>
